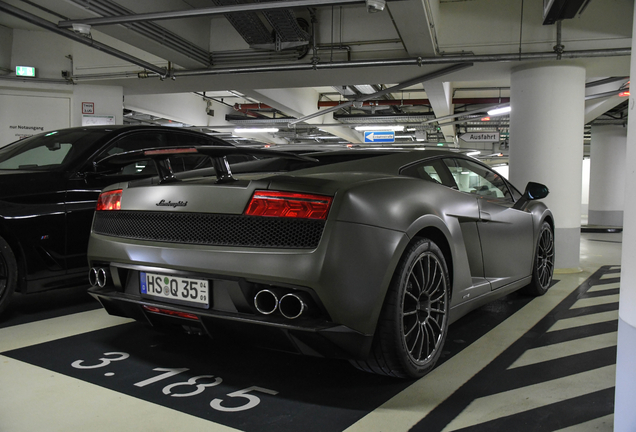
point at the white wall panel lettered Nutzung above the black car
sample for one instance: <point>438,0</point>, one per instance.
<point>23,116</point>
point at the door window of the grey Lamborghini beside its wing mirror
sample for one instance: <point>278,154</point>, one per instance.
<point>476,179</point>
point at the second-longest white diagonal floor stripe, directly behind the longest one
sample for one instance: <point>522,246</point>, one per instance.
<point>564,349</point>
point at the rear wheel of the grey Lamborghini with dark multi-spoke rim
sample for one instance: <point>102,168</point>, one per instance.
<point>414,321</point>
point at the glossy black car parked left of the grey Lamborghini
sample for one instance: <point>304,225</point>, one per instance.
<point>49,184</point>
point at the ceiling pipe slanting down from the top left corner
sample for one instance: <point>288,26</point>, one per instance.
<point>36,20</point>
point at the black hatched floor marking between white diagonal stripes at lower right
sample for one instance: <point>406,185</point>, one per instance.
<point>496,377</point>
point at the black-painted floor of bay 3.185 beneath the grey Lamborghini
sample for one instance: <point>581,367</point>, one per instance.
<point>313,394</point>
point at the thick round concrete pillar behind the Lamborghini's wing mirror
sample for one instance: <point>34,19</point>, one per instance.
<point>546,145</point>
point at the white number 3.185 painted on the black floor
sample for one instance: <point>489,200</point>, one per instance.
<point>197,382</point>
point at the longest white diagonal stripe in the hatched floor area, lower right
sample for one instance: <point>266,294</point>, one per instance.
<point>535,396</point>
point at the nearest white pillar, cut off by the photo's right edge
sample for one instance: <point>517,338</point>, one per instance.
<point>624,412</point>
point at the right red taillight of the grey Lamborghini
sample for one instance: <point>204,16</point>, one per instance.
<point>289,204</point>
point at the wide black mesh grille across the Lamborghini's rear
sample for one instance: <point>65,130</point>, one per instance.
<point>210,229</point>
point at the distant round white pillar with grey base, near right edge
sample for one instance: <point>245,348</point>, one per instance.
<point>607,175</point>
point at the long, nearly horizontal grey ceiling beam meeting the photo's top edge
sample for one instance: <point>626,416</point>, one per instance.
<point>217,10</point>
